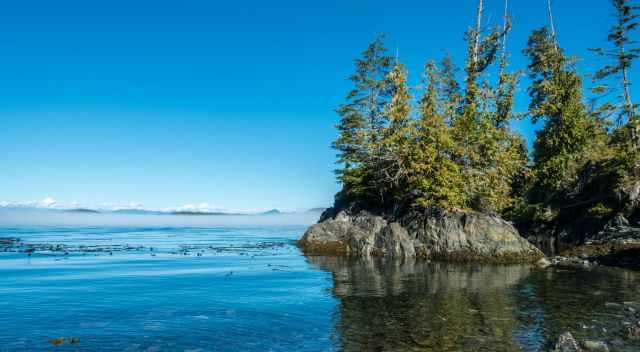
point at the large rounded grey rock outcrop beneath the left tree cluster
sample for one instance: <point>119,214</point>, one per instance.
<point>457,236</point>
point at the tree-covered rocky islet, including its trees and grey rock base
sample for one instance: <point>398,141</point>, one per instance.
<point>437,171</point>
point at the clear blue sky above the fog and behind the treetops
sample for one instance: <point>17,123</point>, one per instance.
<point>166,103</point>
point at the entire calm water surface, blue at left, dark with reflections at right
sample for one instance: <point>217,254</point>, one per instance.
<point>250,289</point>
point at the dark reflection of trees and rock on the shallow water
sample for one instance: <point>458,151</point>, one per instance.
<point>420,306</point>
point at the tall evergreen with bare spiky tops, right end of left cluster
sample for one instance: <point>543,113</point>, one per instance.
<point>486,147</point>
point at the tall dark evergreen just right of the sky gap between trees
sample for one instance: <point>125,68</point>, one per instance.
<point>556,99</point>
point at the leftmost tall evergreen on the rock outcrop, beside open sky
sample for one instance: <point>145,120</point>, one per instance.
<point>361,121</point>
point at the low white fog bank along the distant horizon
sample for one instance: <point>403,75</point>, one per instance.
<point>17,217</point>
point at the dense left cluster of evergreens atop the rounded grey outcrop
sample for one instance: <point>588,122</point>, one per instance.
<point>455,151</point>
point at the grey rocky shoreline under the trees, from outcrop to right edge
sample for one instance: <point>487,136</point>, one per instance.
<point>461,236</point>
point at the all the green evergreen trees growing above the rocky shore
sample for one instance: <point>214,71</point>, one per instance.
<point>453,147</point>
